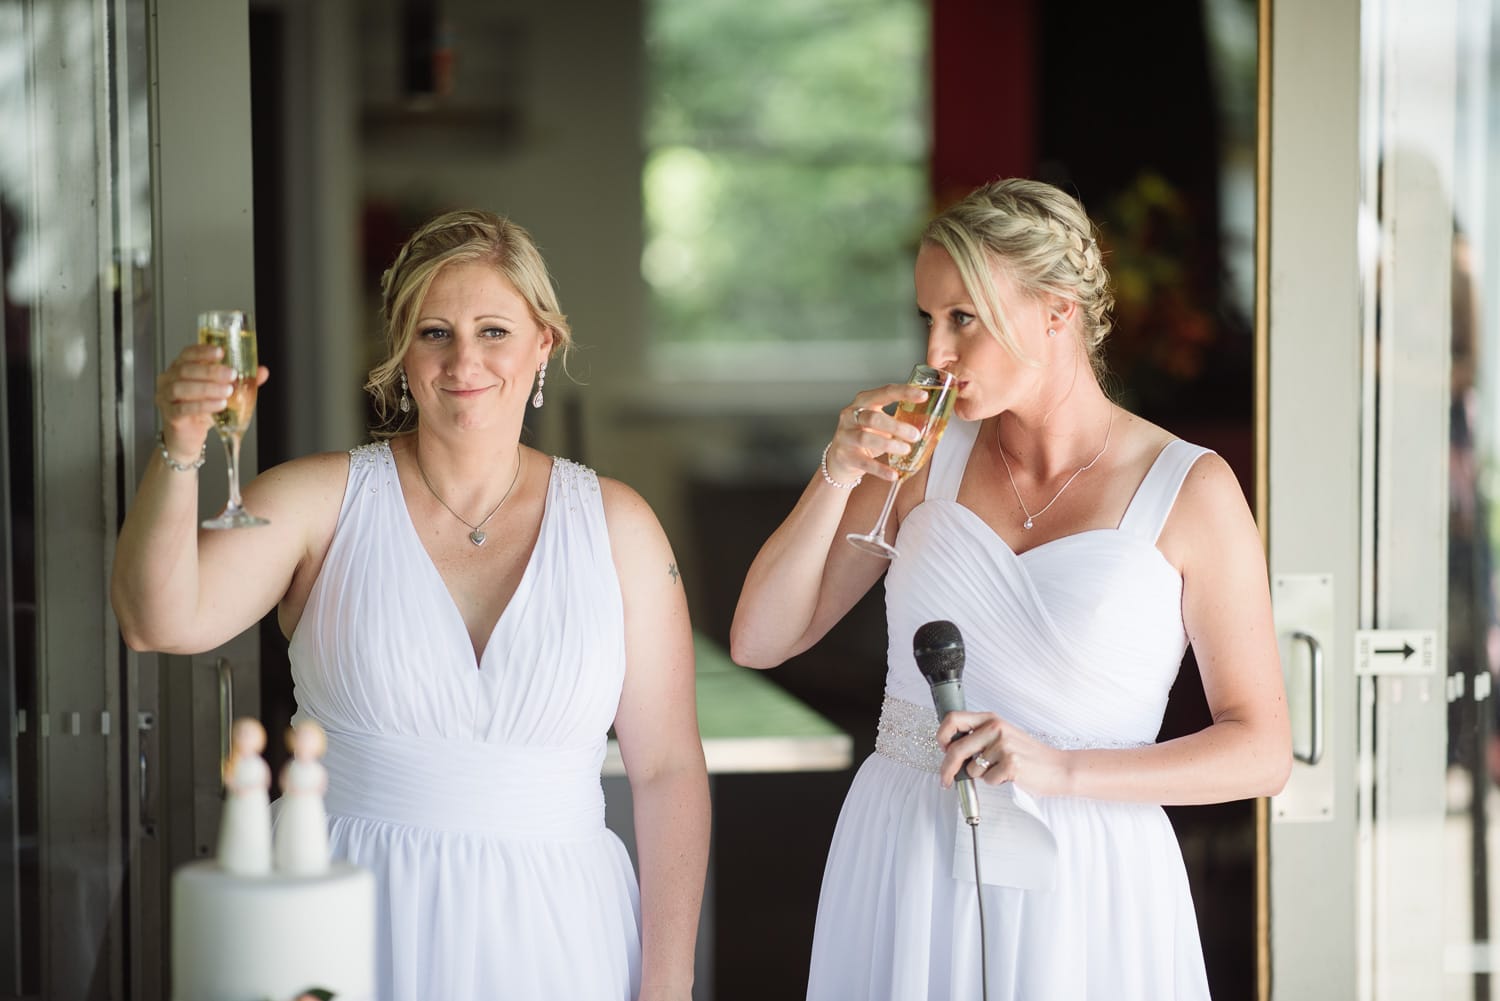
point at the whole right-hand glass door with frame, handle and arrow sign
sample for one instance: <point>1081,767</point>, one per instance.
<point>1384,415</point>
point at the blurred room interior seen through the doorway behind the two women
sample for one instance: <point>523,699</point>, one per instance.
<point>730,197</point>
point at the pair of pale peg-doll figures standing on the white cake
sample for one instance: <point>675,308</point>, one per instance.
<point>301,843</point>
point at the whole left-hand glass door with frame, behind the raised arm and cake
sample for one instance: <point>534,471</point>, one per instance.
<point>115,229</point>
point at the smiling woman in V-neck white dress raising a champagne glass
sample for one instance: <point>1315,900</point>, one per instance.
<point>469,618</point>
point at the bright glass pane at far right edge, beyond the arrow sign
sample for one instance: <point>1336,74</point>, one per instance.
<point>1466,196</point>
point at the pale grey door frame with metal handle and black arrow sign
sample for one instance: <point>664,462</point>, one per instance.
<point>1357,296</point>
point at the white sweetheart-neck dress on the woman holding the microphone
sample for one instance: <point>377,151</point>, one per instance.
<point>1078,642</point>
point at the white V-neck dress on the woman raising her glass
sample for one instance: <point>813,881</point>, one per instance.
<point>473,790</point>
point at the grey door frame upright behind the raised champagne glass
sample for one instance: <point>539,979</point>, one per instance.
<point>202,257</point>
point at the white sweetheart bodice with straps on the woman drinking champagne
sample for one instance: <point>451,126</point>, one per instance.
<point>1079,639</point>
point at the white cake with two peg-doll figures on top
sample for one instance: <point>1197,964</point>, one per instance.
<point>247,930</point>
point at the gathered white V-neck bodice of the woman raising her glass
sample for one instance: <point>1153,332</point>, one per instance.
<point>383,649</point>
